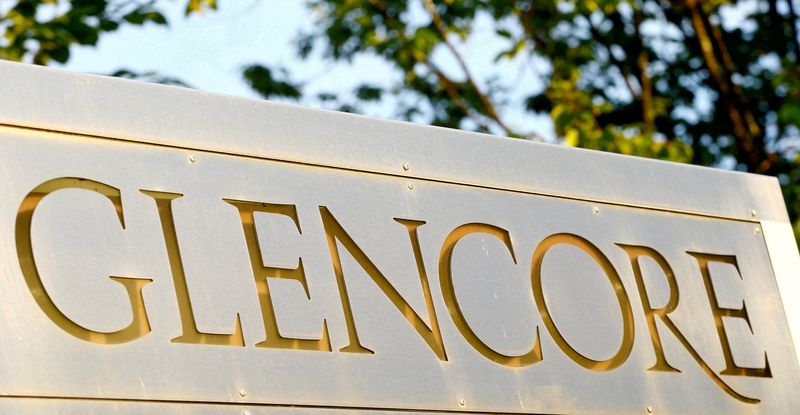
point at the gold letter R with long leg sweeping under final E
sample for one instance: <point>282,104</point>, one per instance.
<point>635,252</point>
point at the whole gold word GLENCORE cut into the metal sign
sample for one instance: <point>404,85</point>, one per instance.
<point>428,331</point>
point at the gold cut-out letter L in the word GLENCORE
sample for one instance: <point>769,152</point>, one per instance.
<point>191,334</point>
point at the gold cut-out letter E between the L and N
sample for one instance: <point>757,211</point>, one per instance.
<point>261,274</point>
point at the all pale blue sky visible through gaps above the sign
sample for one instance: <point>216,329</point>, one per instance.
<point>208,52</point>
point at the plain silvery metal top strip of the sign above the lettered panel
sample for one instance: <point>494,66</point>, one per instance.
<point>110,108</point>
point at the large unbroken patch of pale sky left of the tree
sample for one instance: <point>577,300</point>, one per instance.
<point>208,50</point>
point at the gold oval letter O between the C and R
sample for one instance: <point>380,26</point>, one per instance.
<point>616,282</point>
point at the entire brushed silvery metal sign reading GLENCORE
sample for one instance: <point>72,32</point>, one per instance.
<point>141,271</point>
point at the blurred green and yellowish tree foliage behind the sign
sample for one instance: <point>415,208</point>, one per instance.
<point>713,83</point>
